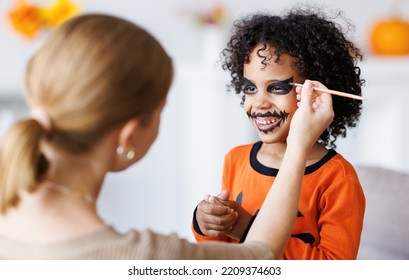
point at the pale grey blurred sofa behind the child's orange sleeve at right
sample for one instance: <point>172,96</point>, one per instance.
<point>385,234</point>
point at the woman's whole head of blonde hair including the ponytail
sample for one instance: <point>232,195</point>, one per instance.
<point>92,74</point>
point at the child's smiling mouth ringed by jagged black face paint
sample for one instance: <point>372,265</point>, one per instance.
<point>267,122</point>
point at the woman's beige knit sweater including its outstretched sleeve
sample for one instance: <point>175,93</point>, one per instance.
<point>107,243</point>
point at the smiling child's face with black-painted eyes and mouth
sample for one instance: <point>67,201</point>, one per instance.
<point>269,101</point>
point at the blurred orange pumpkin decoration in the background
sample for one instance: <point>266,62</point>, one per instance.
<point>390,37</point>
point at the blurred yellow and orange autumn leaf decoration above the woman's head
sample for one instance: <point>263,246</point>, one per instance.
<point>30,20</point>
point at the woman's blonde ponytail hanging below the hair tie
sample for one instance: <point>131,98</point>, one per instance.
<point>22,164</point>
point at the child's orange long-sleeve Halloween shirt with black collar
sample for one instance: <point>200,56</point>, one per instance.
<point>330,211</point>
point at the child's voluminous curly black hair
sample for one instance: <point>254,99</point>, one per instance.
<point>321,52</point>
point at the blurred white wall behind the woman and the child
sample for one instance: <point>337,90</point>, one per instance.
<point>201,121</point>
